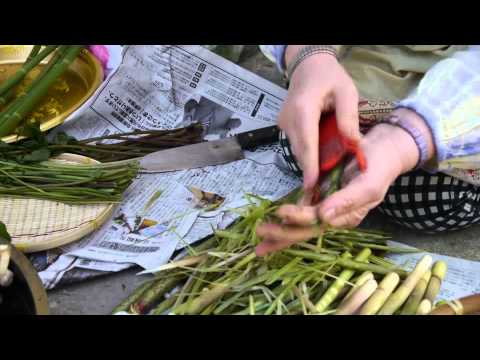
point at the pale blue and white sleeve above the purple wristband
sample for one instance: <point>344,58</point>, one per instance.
<point>448,98</point>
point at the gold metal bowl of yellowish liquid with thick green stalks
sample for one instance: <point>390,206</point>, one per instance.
<point>84,76</point>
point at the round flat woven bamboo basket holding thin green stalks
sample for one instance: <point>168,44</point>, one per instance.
<point>37,225</point>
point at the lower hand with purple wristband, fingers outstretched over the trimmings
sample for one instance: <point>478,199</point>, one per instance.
<point>390,151</point>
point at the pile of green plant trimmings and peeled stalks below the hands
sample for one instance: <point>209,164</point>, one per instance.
<point>338,272</point>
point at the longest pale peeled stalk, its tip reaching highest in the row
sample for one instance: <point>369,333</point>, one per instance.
<point>397,299</point>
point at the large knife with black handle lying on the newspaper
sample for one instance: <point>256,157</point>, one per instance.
<point>208,153</point>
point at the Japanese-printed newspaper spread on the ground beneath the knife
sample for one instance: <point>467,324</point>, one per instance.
<point>166,87</point>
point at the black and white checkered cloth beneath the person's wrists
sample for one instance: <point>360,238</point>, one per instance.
<point>421,201</point>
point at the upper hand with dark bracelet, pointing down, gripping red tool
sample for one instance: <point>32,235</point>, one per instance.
<point>319,84</point>
